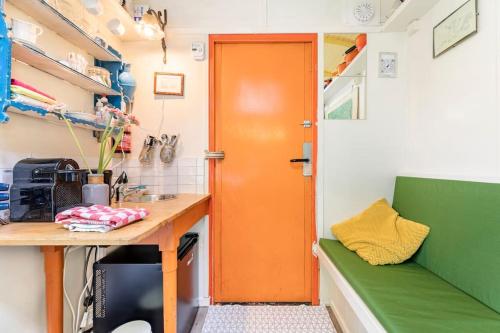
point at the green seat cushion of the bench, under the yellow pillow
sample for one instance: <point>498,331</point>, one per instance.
<point>407,298</point>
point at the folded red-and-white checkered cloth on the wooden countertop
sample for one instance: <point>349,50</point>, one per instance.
<point>99,218</point>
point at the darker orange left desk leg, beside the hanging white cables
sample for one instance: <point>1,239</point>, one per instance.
<point>54,264</point>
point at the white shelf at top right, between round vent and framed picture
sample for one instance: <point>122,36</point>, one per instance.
<point>408,12</point>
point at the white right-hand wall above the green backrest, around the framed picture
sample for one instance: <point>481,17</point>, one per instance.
<point>453,121</point>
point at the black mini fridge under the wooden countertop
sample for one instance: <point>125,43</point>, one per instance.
<point>128,286</point>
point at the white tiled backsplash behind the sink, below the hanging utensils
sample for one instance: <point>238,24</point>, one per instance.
<point>184,175</point>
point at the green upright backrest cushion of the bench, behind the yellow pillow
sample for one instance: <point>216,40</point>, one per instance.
<point>463,246</point>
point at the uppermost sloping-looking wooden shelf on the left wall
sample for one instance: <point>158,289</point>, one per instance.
<point>44,13</point>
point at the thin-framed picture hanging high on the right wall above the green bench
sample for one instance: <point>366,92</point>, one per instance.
<point>457,27</point>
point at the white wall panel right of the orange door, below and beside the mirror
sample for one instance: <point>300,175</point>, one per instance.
<point>362,157</point>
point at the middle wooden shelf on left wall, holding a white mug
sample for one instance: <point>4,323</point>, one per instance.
<point>51,66</point>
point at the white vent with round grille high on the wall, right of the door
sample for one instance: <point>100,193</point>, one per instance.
<point>362,12</point>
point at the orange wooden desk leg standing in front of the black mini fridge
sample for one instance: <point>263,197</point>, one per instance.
<point>168,247</point>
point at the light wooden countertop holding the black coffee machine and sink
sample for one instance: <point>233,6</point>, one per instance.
<point>43,233</point>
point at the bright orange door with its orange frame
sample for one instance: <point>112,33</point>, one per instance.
<point>262,90</point>
